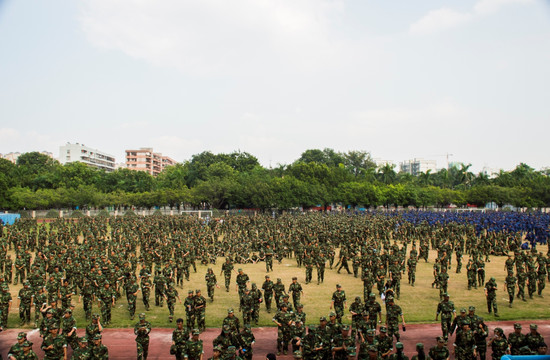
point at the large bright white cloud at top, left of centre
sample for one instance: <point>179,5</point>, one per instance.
<point>215,36</point>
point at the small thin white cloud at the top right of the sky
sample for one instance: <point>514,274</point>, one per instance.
<point>445,18</point>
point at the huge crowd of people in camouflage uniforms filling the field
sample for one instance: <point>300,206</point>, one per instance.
<point>101,260</point>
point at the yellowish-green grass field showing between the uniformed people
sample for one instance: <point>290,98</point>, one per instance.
<point>419,303</point>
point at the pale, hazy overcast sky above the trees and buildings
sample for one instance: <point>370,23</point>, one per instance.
<point>400,79</point>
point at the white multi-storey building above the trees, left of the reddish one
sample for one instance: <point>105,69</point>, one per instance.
<point>91,157</point>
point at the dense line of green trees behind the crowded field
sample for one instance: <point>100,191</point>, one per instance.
<point>237,180</point>
